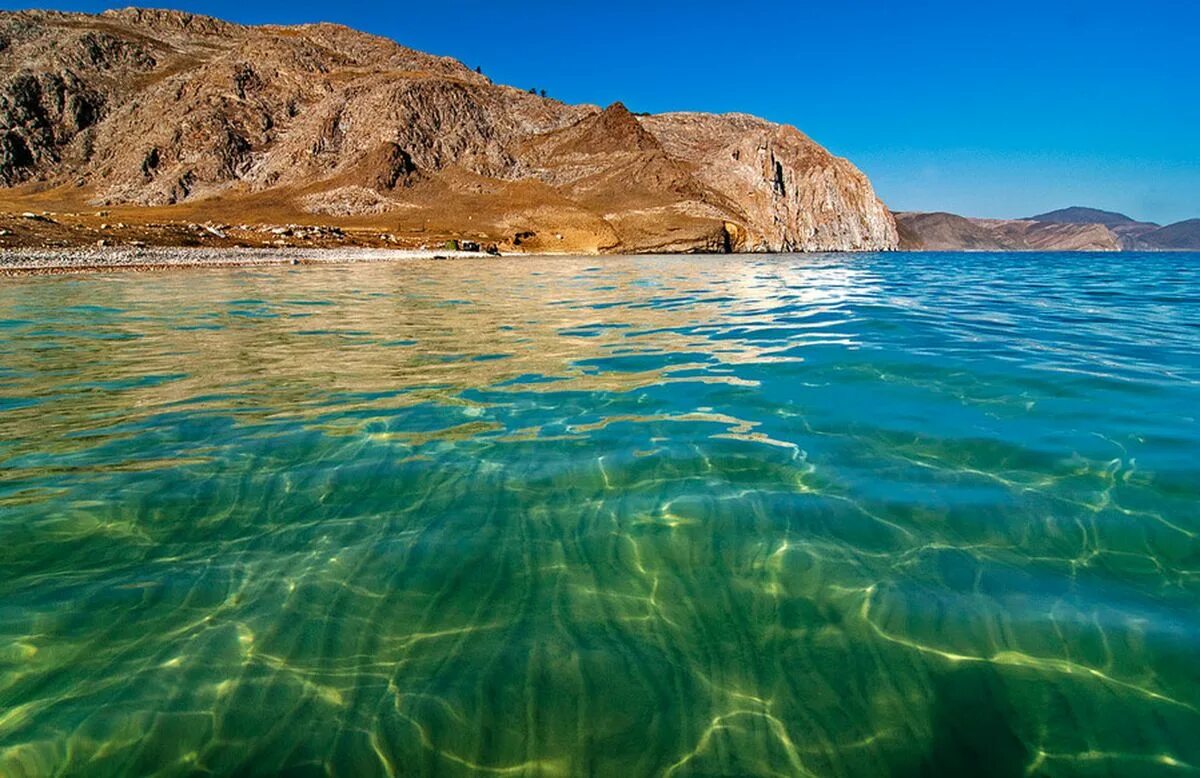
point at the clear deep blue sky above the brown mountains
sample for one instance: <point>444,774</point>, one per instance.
<point>983,109</point>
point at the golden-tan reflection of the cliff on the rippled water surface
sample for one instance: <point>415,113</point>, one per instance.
<point>433,330</point>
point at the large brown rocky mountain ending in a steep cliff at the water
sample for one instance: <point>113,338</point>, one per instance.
<point>181,117</point>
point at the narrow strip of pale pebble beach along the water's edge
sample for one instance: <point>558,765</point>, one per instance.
<point>95,259</point>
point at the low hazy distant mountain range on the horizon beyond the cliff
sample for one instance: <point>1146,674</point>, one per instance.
<point>1075,229</point>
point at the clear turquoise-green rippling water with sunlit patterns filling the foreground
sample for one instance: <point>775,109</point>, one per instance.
<point>830,516</point>
